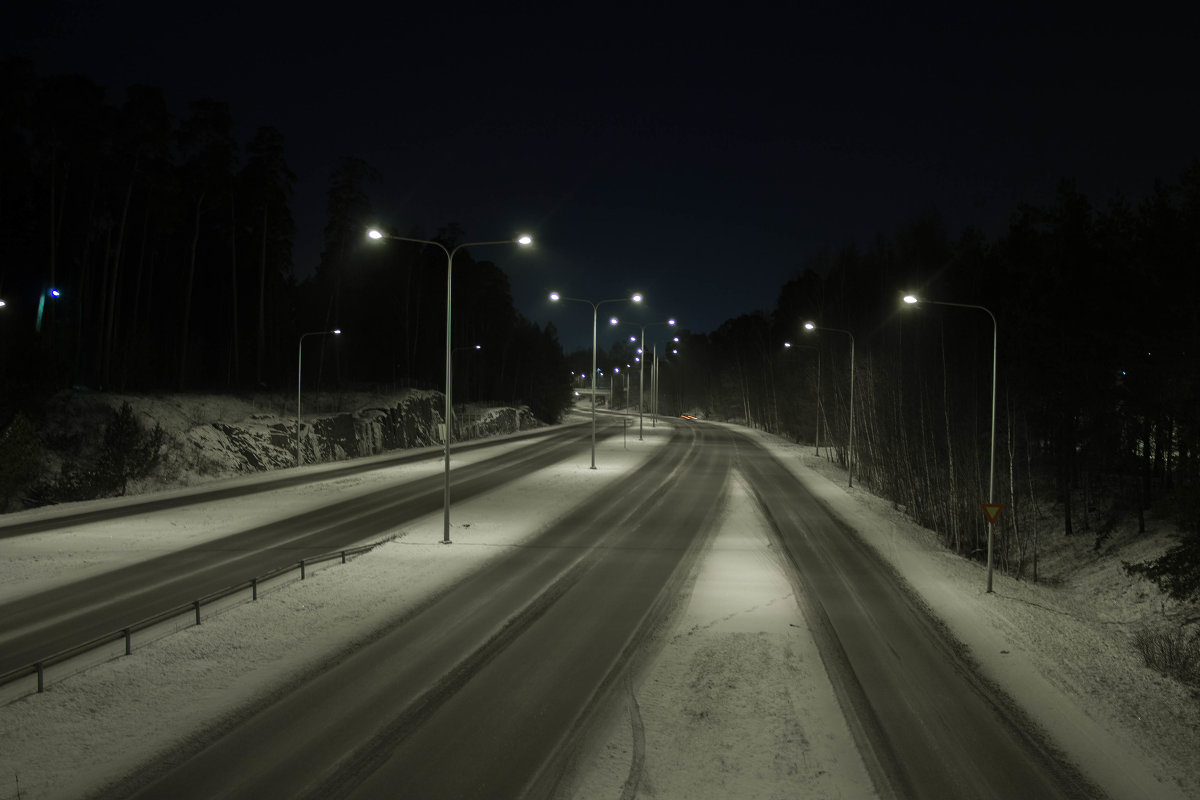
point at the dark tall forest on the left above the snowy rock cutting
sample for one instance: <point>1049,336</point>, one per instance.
<point>147,252</point>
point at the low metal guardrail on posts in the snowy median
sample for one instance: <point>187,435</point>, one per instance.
<point>125,635</point>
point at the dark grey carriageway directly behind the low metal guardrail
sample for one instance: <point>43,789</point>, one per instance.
<point>45,623</point>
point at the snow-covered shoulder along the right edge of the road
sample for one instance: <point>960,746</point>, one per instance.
<point>1131,731</point>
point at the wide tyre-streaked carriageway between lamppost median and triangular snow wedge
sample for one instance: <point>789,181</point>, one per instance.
<point>473,693</point>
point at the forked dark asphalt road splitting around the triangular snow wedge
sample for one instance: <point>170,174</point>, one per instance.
<point>479,691</point>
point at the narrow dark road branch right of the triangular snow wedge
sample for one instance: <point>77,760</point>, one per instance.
<point>927,724</point>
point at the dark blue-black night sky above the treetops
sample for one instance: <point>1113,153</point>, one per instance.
<point>698,154</point>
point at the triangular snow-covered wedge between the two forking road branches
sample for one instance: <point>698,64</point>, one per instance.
<point>735,701</point>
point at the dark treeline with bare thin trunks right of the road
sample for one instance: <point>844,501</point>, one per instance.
<point>1099,390</point>
